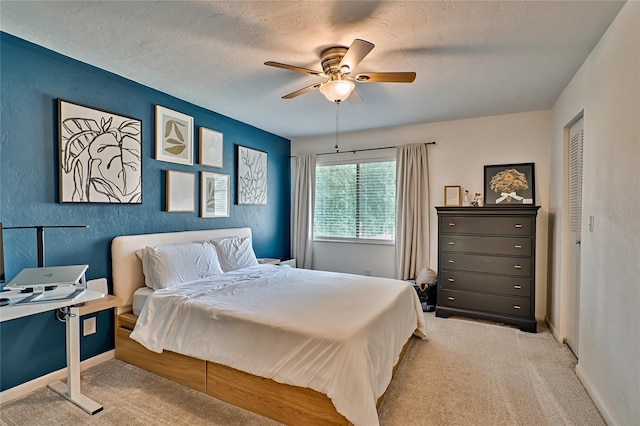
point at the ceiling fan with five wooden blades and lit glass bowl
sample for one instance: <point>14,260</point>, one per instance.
<point>338,64</point>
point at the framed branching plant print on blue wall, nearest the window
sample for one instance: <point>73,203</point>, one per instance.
<point>251,172</point>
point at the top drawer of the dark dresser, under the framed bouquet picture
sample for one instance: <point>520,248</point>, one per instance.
<point>486,225</point>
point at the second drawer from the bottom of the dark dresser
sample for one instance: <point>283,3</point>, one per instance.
<point>514,286</point>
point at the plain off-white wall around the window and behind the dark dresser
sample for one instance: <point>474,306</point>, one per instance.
<point>462,149</point>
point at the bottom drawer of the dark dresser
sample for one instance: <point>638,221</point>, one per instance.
<point>507,305</point>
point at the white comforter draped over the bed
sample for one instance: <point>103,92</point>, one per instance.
<point>336,333</point>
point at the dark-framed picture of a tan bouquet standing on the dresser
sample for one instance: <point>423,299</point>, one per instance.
<point>509,184</point>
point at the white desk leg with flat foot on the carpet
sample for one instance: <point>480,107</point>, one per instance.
<point>71,390</point>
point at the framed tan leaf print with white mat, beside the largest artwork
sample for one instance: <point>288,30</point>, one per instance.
<point>174,136</point>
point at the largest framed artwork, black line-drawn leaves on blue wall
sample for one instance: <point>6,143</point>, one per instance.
<point>100,156</point>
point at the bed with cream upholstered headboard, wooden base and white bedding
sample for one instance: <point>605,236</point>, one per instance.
<point>294,345</point>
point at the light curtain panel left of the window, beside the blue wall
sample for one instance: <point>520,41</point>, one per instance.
<point>303,204</point>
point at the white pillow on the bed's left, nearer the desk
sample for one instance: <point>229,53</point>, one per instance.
<point>171,265</point>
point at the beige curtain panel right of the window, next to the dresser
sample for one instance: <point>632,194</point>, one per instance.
<point>412,210</point>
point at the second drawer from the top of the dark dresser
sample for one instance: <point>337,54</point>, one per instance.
<point>516,246</point>
